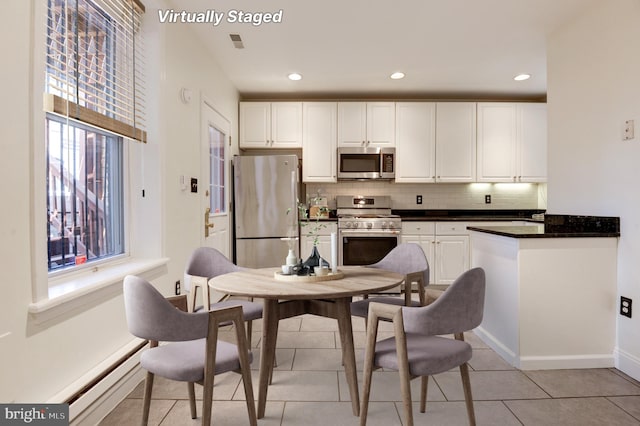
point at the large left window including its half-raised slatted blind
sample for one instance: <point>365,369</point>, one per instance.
<point>94,99</point>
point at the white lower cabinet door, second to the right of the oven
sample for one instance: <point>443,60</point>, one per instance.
<point>452,257</point>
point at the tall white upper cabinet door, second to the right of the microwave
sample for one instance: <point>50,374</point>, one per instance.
<point>455,142</point>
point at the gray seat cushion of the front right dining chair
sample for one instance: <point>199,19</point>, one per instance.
<point>427,354</point>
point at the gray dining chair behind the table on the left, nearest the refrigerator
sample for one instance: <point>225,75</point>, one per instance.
<point>204,264</point>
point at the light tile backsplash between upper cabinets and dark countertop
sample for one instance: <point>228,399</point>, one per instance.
<point>441,196</point>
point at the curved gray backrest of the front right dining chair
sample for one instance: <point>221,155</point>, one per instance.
<point>458,309</point>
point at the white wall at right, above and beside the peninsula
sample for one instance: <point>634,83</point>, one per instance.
<point>593,86</point>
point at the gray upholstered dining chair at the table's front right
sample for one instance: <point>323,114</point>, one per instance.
<point>417,349</point>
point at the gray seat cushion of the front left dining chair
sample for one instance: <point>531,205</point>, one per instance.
<point>184,361</point>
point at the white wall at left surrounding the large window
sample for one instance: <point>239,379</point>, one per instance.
<point>39,361</point>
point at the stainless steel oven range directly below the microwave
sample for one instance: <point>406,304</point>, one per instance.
<point>367,230</point>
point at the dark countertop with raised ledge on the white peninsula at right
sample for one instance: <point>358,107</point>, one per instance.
<point>559,226</point>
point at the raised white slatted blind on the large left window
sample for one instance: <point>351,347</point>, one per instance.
<point>95,64</point>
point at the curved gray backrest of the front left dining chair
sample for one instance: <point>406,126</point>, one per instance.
<point>150,316</point>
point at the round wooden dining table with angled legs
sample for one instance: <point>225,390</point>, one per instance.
<point>286,297</point>
